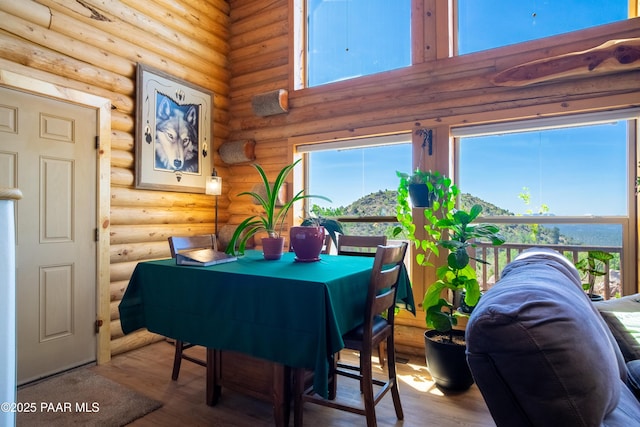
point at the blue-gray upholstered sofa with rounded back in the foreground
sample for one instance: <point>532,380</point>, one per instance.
<point>541,353</point>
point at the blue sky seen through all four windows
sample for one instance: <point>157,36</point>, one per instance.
<point>586,164</point>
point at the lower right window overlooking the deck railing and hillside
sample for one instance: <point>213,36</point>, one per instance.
<point>564,183</point>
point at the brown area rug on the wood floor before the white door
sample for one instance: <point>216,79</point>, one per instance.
<point>80,397</point>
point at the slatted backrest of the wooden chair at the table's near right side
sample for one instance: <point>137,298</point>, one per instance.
<point>381,298</point>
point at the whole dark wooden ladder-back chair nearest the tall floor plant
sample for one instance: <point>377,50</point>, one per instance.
<point>381,298</point>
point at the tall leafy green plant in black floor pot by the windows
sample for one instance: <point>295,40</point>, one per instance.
<point>445,346</point>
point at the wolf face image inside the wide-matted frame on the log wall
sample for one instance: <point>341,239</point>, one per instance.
<point>176,139</point>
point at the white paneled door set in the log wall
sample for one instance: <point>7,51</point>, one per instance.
<point>48,151</point>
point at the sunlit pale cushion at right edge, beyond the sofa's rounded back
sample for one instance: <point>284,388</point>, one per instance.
<point>623,318</point>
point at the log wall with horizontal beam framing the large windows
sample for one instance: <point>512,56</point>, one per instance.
<point>434,93</point>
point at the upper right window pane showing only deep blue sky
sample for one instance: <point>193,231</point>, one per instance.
<point>486,24</point>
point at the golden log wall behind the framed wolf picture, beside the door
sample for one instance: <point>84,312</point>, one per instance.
<point>93,46</point>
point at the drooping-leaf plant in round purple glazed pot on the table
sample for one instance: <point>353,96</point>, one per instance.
<point>308,238</point>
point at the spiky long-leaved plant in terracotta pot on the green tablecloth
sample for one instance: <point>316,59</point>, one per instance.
<point>272,220</point>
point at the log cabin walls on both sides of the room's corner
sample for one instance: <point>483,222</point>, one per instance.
<point>240,48</point>
